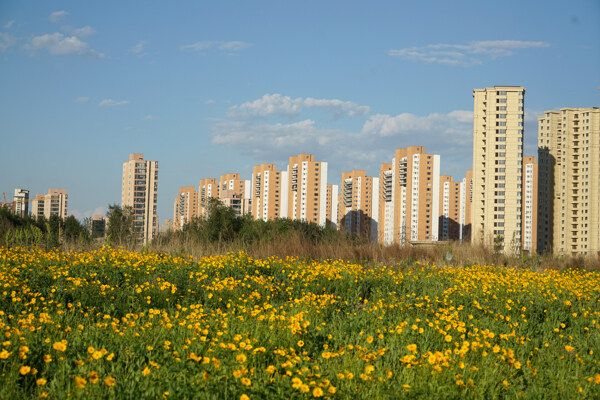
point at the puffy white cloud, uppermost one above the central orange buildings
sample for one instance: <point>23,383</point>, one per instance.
<point>277,104</point>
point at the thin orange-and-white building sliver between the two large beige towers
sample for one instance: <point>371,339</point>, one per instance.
<point>530,204</point>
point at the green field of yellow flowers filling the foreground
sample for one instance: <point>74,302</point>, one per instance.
<point>117,324</point>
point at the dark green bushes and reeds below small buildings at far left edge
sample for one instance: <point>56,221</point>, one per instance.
<point>40,231</point>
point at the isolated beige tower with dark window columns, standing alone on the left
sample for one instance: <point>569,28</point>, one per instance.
<point>139,190</point>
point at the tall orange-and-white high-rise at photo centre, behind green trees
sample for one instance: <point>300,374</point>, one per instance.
<point>307,189</point>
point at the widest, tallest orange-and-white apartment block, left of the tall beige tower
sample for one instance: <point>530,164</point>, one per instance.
<point>409,198</point>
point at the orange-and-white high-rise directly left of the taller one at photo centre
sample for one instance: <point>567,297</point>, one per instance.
<point>269,193</point>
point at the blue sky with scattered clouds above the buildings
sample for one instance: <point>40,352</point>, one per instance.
<point>208,88</point>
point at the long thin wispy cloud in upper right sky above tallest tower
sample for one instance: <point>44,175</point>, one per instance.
<point>465,55</point>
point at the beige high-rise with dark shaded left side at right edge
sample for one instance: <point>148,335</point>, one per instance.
<point>569,175</point>
